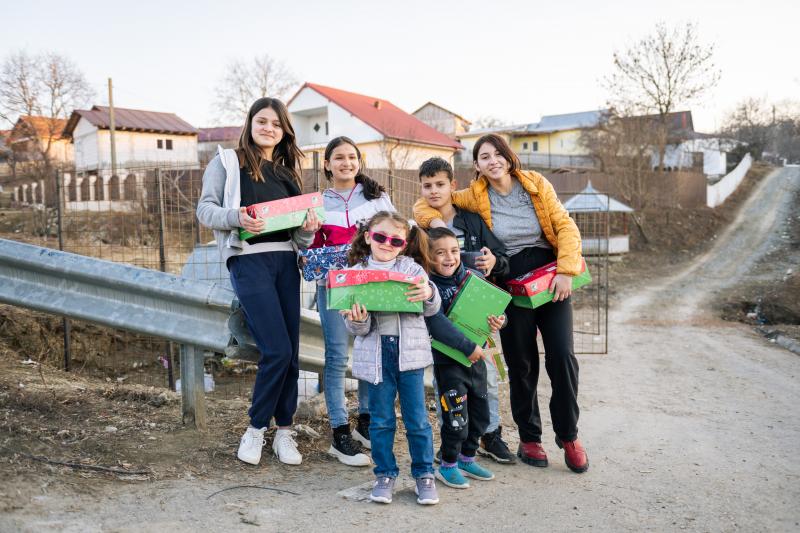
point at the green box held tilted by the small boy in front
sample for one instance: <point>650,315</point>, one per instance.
<point>475,301</point>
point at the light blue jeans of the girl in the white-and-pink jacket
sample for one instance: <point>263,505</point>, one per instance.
<point>336,342</point>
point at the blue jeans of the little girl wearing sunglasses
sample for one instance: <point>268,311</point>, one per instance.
<point>410,386</point>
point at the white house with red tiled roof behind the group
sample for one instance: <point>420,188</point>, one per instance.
<point>387,136</point>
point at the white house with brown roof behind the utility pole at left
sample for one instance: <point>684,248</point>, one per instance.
<point>141,138</point>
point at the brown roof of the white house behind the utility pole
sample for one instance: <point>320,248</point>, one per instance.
<point>131,120</point>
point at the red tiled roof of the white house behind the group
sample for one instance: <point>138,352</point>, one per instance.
<point>384,116</point>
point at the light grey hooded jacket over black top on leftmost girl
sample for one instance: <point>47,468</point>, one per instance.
<point>218,207</point>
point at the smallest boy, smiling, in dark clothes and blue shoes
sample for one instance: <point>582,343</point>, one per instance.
<point>462,390</point>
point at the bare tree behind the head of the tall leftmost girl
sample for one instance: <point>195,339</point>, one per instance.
<point>246,81</point>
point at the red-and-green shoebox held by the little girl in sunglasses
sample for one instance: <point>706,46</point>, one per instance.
<point>377,290</point>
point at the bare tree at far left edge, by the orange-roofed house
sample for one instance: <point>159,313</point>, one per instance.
<point>47,87</point>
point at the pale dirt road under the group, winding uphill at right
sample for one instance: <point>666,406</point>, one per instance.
<point>690,423</point>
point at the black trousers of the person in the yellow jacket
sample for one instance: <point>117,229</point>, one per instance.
<point>554,322</point>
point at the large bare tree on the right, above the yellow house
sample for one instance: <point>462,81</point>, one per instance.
<point>663,70</point>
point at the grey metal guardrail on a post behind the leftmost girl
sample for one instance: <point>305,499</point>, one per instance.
<point>191,312</point>
